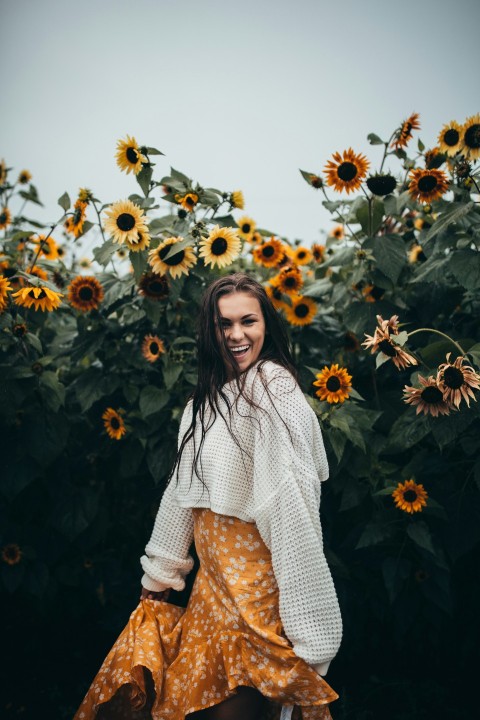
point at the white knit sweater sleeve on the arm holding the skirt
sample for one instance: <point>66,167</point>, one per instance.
<point>166,561</point>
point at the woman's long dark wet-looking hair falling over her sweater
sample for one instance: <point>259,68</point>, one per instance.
<point>216,364</point>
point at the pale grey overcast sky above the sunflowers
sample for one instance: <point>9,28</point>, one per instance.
<point>238,95</point>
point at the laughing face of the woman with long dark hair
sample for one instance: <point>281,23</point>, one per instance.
<point>243,325</point>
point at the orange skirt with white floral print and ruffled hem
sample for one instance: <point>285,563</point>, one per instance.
<point>170,661</point>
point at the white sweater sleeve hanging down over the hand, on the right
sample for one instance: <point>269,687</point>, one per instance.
<point>289,465</point>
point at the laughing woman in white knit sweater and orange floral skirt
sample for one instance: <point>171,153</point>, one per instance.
<point>262,623</point>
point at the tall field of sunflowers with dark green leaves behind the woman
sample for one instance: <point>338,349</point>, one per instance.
<point>97,353</point>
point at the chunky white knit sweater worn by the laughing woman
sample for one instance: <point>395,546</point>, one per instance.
<point>273,478</point>
